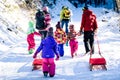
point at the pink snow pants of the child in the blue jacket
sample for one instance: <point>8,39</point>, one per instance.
<point>49,66</point>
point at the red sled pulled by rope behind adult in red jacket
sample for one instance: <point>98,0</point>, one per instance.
<point>97,63</point>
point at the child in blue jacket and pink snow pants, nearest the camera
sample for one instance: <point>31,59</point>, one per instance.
<point>49,49</point>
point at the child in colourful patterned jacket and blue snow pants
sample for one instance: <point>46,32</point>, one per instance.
<point>60,37</point>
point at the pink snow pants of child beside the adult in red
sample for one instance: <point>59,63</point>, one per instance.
<point>73,46</point>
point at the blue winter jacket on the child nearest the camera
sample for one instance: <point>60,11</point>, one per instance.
<point>48,47</point>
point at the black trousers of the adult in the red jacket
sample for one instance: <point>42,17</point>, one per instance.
<point>89,41</point>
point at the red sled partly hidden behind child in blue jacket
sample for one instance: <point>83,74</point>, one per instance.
<point>37,64</point>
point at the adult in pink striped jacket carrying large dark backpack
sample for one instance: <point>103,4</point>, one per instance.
<point>43,19</point>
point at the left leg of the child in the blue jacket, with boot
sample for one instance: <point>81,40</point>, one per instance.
<point>45,66</point>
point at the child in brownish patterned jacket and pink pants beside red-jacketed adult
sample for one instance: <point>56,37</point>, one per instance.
<point>72,40</point>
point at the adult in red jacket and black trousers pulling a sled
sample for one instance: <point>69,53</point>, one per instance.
<point>89,27</point>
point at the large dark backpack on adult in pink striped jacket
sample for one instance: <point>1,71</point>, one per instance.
<point>40,24</point>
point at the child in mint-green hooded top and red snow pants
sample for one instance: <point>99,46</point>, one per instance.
<point>30,37</point>
